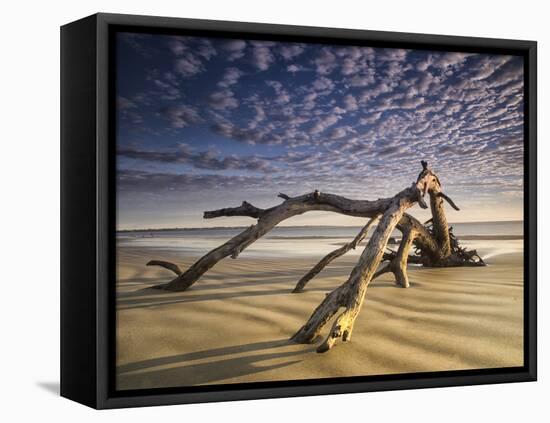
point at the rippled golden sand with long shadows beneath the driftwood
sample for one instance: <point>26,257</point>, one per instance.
<point>233,325</point>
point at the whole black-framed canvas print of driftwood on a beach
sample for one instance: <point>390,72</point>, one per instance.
<point>256,211</point>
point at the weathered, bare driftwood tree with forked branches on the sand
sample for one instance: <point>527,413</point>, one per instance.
<point>434,245</point>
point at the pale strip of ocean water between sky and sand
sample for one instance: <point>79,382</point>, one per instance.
<point>489,238</point>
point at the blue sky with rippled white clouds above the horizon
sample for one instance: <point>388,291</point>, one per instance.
<point>205,123</point>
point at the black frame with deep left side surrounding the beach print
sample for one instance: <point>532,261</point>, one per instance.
<point>88,224</point>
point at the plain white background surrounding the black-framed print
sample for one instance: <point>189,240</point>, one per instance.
<point>29,212</point>
